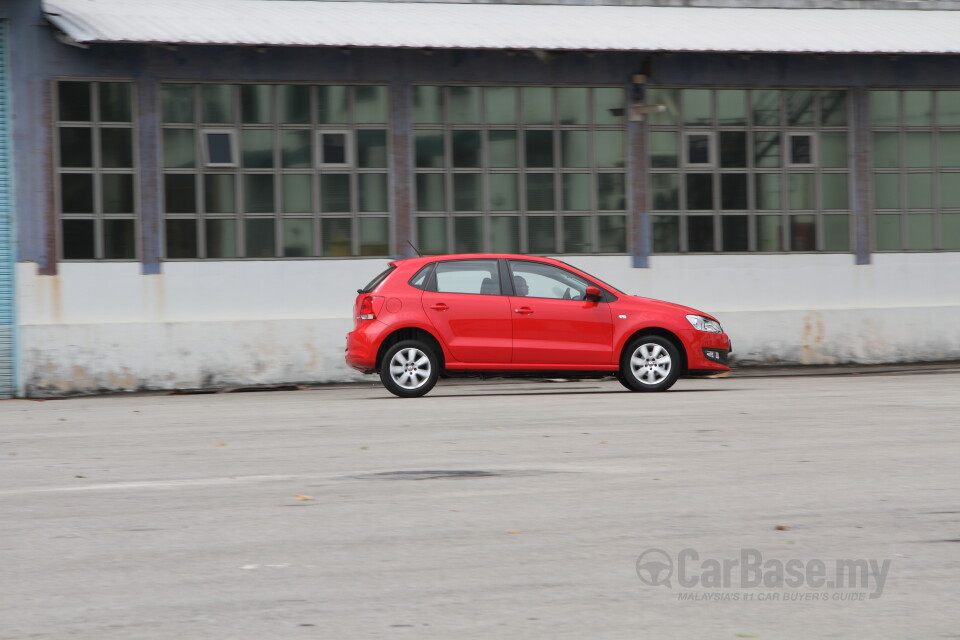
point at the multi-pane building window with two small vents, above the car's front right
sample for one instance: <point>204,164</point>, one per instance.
<point>736,170</point>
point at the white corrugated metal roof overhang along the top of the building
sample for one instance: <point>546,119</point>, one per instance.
<point>505,26</point>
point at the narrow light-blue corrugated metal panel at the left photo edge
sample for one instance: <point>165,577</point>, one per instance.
<point>7,316</point>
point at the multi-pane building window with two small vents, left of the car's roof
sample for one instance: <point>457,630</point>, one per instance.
<point>263,171</point>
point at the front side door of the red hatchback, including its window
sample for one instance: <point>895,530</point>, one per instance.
<point>552,323</point>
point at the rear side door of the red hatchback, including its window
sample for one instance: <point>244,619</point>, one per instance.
<point>465,303</point>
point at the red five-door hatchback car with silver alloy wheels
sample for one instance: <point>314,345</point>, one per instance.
<point>520,315</point>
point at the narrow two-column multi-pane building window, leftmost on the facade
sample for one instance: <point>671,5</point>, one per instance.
<point>96,170</point>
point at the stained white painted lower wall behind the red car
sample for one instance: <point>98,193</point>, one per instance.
<point>105,327</point>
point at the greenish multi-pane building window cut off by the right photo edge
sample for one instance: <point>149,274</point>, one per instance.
<point>916,164</point>
